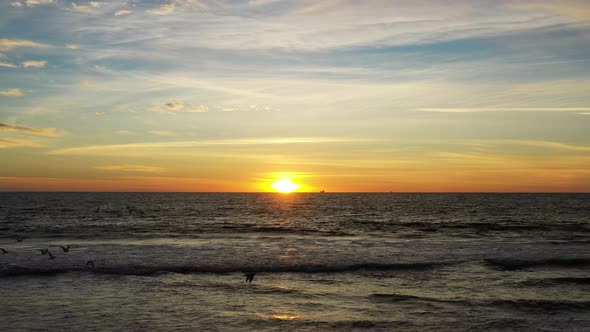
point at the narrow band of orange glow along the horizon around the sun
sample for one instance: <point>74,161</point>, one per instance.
<point>427,180</point>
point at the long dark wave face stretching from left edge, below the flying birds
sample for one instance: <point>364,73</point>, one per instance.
<point>186,269</point>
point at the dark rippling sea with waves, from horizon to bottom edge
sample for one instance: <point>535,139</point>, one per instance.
<point>331,262</point>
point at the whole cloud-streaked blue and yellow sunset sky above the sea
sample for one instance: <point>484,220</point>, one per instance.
<point>334,95</point>
